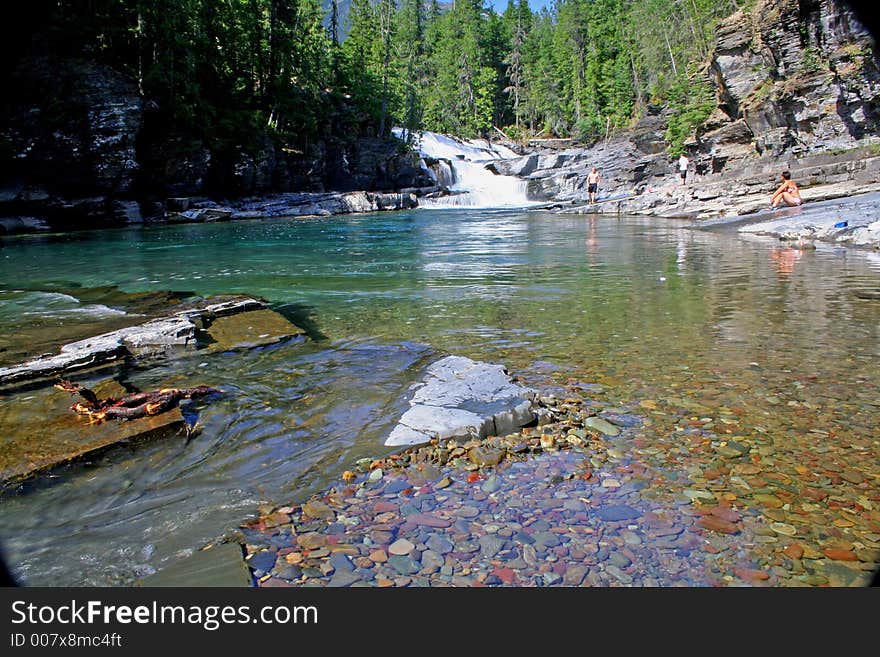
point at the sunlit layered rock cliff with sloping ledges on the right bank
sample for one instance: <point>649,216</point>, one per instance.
<point>797,86</point>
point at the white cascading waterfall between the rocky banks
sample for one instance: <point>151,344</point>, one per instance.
<point>471,183</point>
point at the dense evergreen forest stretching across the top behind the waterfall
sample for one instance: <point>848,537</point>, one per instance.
<point>224,70</point>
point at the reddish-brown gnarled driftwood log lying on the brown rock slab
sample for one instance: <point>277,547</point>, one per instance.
<point>132,406</point>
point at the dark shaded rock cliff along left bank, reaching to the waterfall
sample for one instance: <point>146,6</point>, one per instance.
<point>81,148</point>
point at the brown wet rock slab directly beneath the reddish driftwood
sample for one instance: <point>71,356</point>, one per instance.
<point>40,432</point>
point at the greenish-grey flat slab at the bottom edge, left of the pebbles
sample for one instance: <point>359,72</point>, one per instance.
<point>222,565</point>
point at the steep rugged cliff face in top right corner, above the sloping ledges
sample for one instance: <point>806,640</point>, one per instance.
<point>793,77</point>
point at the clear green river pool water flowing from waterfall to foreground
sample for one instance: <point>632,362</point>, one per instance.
<point>700,324</point>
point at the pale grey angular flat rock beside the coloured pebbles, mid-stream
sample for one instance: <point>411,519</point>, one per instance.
<point>460,397</point>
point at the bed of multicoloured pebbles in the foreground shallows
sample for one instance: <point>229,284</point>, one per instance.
<point>594,496</point>
